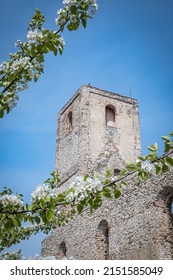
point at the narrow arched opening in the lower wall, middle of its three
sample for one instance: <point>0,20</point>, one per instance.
<point>102,241</point>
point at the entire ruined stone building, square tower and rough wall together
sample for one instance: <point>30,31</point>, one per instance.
<point>99,130</point>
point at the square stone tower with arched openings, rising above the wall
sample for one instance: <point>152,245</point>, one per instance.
<point>97,130</point>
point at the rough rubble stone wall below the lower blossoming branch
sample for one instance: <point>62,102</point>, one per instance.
<point>139,226</point>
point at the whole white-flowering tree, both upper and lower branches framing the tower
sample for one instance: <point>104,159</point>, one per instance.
<point>49,206</point>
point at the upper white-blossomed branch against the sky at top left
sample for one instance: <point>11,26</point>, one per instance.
<point>27,63</point>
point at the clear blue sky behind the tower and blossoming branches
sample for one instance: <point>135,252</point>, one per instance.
<point>126,48</point>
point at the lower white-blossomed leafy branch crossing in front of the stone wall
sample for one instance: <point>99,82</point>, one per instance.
<point>51,208</point>
